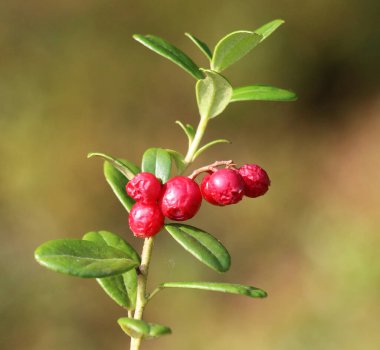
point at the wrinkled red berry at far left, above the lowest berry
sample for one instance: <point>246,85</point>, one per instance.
<point>144,188</point>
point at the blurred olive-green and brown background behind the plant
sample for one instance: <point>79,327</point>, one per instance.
<point>72,80</point>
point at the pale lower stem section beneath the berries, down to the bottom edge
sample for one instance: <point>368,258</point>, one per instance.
<point>141,286</point>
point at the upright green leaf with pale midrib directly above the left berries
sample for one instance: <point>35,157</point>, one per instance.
<point>158,162</point>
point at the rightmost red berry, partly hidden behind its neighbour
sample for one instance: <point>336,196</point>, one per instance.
<point>256,180</point>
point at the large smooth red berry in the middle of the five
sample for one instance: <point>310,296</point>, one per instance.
<point>181,198</point>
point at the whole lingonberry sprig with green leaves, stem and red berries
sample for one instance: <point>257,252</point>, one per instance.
<point>152,196</point>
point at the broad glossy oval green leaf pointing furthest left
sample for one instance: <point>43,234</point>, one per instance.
<point>83,258</point>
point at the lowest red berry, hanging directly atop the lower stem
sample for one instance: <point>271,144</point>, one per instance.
<point>145,220</point>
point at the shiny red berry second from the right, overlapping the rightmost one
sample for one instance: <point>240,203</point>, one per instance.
<point>223,187</point>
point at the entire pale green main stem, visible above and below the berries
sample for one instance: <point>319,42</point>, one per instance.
<point>142,296</point>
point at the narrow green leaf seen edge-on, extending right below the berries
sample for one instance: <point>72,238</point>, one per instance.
<point>241,289</point>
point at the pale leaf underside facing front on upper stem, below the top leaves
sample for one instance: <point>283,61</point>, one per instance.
<point>213,94</point>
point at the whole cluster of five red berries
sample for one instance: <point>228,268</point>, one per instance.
<point>180,197</point>
